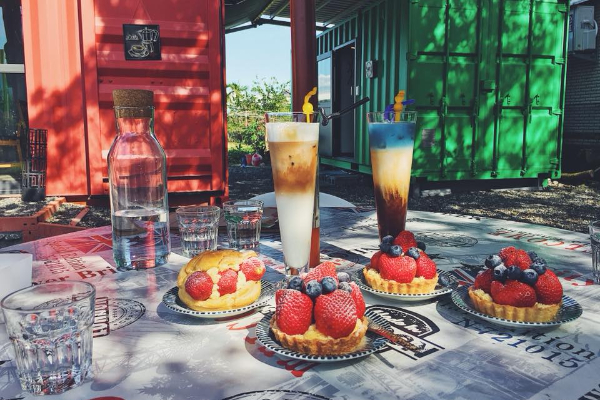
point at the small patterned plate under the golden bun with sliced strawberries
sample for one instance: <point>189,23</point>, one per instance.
<point>172,301</point>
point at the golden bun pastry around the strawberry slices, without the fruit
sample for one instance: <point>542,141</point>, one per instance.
<point>213,262</point>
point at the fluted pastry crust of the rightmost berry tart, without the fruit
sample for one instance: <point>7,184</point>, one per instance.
<point>539,312</point>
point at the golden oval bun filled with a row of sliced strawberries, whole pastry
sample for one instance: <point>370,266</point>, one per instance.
<point>220,280</point>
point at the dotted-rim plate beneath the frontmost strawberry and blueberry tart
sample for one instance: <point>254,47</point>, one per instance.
<point>372,344</point>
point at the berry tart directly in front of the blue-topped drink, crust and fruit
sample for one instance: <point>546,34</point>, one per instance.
<point>401,266</point>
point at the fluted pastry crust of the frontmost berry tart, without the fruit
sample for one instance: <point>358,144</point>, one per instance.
<point>315,343</point>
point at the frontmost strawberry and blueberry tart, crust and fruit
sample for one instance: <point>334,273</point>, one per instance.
<point>320,314</point>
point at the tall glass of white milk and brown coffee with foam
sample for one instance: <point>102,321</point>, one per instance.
<point>293,145</point>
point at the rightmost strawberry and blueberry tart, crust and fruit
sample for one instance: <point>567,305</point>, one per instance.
<point>517,285</point>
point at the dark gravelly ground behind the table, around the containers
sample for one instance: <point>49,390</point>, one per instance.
<point>566,206</point>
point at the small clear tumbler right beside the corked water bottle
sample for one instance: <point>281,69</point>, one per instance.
<point>198,228</point>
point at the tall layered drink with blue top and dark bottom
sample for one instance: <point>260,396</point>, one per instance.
<point>391,141</point>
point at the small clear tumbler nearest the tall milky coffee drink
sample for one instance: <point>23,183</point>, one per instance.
<point>243,218</point>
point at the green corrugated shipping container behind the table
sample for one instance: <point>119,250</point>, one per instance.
<point>488,77</point>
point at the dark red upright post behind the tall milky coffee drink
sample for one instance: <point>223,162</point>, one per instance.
<point>304,78</point>
